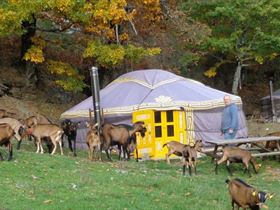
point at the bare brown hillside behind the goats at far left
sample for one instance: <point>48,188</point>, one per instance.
<point>25,101</point>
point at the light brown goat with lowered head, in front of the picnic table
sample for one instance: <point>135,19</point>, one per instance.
<point>237,155</point>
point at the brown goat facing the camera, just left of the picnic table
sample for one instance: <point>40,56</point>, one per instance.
<point>190,155</point>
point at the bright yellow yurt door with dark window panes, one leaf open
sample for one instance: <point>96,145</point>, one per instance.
<point>162,127</point>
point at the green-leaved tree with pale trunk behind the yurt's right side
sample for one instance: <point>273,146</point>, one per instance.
<point>243,32</point>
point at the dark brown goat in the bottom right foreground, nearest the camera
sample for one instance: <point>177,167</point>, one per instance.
<point>245,196</point>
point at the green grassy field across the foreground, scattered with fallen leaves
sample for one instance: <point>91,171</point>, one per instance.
<point>40,181</point>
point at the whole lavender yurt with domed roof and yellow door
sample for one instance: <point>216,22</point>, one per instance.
<point>172,107</point>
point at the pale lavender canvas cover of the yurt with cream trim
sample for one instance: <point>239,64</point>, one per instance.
<point>160,90</point>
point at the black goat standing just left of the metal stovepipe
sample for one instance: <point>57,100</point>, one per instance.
<point>70,131</point>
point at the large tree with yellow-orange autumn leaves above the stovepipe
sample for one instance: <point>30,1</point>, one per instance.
<point>101,28</point>
